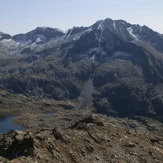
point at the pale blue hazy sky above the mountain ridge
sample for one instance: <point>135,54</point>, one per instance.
<point>21,16</point>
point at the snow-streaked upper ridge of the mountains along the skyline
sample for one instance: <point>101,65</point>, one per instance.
<point>45,35</point>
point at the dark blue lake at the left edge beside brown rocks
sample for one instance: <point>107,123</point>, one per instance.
<point>6,124</point>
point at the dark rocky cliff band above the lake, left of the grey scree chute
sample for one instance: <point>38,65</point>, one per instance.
<point>43,87</point>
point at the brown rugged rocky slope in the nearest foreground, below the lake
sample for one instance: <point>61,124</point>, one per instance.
<point>93,139</point>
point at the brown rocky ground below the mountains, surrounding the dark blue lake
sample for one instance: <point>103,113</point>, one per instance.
<point>57,132</point>
